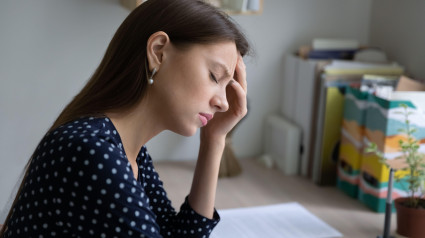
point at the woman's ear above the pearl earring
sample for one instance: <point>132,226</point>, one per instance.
<point>156,45</point>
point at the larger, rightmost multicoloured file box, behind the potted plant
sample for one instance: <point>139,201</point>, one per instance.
<point>382,123</point>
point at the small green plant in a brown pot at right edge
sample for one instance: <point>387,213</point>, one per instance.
<point>410,209</point>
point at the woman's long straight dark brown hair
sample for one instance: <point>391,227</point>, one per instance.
<point>120,81</point>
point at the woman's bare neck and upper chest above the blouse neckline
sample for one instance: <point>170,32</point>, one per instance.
<point>135,127</point>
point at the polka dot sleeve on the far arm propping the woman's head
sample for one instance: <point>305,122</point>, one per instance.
<point>186,223</point>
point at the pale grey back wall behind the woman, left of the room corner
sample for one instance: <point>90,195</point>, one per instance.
<point>49,48</point>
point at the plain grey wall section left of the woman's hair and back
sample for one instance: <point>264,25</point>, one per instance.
<point>48,49</point>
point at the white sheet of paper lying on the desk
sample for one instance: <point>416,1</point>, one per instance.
<point>290,220</point>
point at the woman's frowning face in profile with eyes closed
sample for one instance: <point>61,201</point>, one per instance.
<point>190,86</point>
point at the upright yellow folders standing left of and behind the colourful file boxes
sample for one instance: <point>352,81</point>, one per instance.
<point>328,111</point>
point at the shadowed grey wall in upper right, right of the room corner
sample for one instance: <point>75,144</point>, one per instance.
<point>399,28</point>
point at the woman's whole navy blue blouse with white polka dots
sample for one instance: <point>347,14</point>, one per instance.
<point>80,184</point>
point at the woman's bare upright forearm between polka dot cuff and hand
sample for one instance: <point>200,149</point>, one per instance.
<point>204,185</point>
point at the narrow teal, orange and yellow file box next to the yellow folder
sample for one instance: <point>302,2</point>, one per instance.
<point>351,148</point>
